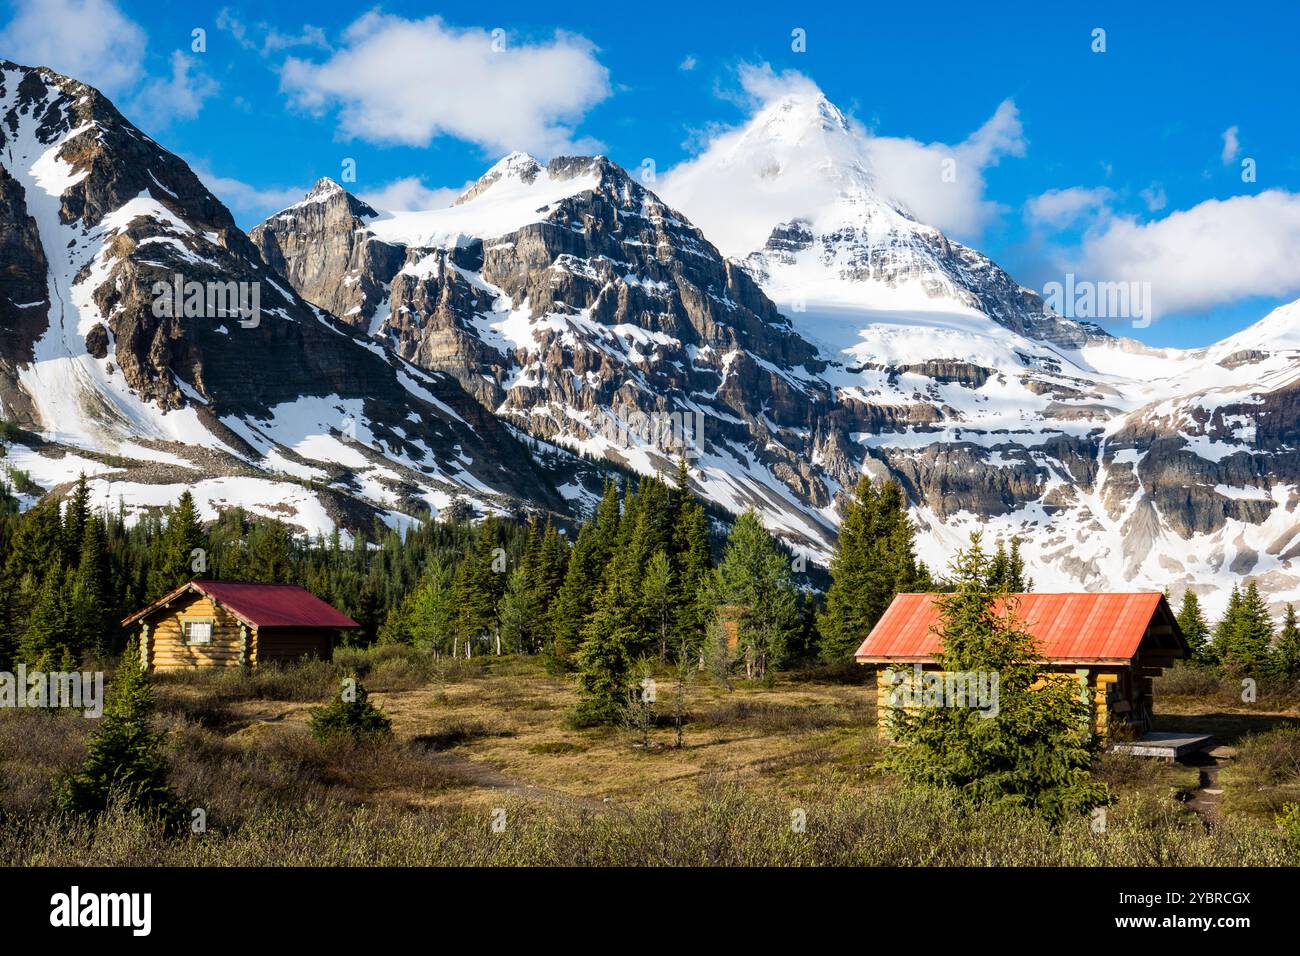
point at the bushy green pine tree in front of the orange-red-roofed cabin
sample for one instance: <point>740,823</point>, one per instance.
<point>1034,750</point>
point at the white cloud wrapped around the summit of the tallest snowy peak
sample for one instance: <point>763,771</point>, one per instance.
<point>774,168</point>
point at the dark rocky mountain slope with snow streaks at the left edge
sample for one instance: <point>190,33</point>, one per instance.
<point>101,223</point>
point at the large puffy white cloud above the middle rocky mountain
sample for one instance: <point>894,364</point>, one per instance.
<point>410,81</point>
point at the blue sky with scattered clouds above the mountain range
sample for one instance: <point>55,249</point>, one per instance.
<point>1125,158</point>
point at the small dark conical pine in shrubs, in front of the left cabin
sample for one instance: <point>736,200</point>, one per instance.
<point>125,760</point>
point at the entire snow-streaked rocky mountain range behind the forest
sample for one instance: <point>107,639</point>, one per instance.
<point>398,357</point>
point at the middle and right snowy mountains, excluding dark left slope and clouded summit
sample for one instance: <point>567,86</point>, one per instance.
<point>600,301</point>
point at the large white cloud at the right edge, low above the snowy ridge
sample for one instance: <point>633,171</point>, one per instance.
<point>1216,253</point>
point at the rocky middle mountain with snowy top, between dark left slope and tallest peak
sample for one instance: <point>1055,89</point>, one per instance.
<point>601,305</point>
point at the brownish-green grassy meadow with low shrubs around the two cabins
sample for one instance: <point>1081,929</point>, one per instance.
<point>484,767</point>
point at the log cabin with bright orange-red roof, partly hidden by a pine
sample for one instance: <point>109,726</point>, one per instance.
<point>1113,644</point>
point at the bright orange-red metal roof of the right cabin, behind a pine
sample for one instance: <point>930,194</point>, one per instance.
<point>1069,628</point>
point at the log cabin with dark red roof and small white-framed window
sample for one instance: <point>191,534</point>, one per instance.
<point>236,625</point>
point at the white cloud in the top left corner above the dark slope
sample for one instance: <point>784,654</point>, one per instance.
<point>92,41</point>
